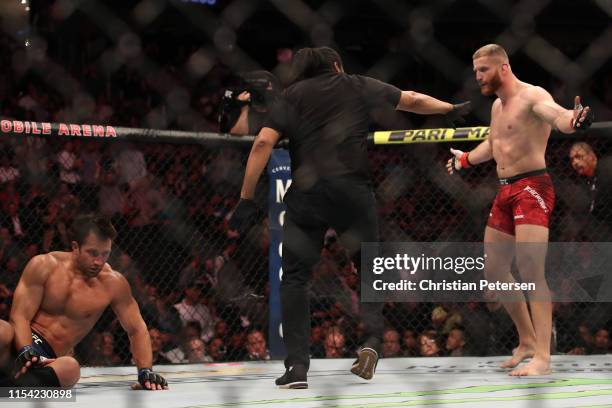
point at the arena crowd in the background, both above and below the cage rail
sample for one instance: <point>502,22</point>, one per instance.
<point>201,287</point>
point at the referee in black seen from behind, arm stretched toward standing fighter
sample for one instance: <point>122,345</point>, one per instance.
<point>325,116</point>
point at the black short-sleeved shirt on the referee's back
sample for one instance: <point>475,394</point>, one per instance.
<point>326,120</point>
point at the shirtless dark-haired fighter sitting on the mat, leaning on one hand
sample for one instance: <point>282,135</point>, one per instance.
<point>59,298</point>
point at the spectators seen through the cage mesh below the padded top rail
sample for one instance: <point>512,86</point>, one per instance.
<point>202,288</point>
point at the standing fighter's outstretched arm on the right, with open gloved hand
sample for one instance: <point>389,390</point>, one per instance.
<point>544,106</point>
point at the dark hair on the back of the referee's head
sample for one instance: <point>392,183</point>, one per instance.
<point>311,62</point>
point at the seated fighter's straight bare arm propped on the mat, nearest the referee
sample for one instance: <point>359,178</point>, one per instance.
<point>125,307</point>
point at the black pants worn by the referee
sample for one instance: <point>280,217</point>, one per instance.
<point>350,208</point>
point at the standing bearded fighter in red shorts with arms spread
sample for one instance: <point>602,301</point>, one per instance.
<point>521,120</point>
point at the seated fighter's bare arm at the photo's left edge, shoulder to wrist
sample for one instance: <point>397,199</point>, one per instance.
<point>28,297</point>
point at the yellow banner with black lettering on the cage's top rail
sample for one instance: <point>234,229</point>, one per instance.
<point>475,134</point>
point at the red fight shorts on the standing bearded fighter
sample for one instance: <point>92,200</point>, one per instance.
<point>527,198</point>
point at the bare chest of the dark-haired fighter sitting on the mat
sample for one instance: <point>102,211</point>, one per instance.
<point>73,298</point>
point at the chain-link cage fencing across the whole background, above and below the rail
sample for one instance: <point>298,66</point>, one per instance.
<point>164,64</point>
